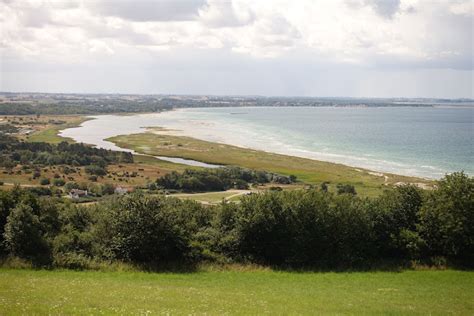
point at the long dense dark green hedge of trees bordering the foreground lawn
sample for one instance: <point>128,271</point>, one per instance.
<point>300,228</point>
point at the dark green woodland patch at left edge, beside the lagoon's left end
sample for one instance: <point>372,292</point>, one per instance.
<point>13,152</point>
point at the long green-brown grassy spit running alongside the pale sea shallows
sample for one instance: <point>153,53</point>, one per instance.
<point>307,170</point>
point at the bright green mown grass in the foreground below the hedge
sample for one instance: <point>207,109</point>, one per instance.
<point>233,292</point>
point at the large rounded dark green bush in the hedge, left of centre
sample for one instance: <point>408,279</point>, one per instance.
<point>145,230</point>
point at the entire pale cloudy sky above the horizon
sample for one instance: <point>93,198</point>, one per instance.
<point>368,48</point>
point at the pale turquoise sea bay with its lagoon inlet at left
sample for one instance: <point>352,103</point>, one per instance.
<point>426,142</point>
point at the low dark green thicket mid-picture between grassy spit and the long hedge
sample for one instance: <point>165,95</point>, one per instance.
<point>219,179</point>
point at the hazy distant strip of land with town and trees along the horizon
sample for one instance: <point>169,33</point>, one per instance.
<point>12,103</point>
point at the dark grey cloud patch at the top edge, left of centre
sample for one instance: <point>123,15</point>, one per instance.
<point>149,10</point>
